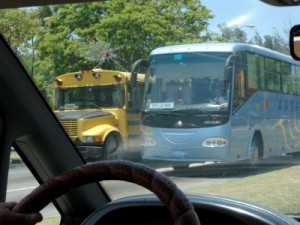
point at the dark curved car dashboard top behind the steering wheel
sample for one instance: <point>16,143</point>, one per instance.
<point>210,210</point>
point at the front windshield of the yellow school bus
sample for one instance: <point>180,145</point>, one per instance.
<point>93,97</point>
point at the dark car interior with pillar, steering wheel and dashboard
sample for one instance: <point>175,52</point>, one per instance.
<point>28,124</point>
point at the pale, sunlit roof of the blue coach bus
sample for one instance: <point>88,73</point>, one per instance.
<point>223,47</point>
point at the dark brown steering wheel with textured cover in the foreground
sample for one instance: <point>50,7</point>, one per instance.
<point>171,196</point>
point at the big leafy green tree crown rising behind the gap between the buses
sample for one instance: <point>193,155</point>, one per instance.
<point>135,27</point>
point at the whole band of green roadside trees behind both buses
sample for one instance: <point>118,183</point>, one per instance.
<point>111,35</point>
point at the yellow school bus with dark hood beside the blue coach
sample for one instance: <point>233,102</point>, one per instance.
<point>100,111</point>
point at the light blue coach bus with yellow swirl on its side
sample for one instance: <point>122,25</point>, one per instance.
<point>219,102</point>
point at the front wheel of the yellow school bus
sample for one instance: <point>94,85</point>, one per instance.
<point>112,146</point>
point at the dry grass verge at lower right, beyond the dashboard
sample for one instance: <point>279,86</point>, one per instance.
<point>277,189</point>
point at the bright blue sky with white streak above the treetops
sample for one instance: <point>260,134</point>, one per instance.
<point>265,18</point>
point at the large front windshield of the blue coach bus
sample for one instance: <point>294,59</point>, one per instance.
<point>188,81</point>
